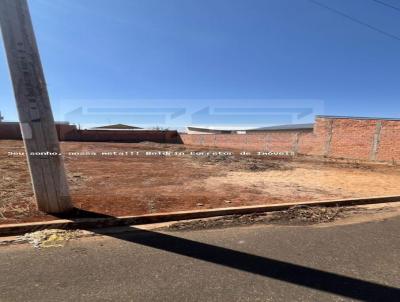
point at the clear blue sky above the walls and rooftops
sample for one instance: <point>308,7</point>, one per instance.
<point>210,58</point>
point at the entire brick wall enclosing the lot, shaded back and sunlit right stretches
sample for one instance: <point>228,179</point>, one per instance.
<point>335,137</point>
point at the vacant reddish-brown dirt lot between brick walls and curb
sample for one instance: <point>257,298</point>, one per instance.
<point>136,183</point>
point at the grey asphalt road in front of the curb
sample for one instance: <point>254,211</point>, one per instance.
<point>253,263</point>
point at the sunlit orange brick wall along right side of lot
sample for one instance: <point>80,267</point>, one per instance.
<point>335,137</point>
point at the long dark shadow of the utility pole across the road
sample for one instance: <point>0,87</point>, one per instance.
<point>263,266</point>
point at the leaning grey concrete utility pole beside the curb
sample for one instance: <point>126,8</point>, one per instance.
<point>35,115</point>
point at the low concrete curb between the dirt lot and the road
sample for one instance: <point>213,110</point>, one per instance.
<point>92,223</point>
